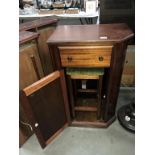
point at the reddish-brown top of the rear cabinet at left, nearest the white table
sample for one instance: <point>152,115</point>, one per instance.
<point>36,23</point>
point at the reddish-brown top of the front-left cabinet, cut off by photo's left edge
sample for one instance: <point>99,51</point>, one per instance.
<point>25,36</point>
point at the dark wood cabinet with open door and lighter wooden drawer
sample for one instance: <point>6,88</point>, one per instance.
<point>47,101</point>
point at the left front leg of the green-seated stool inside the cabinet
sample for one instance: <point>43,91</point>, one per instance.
<point>70,91</point>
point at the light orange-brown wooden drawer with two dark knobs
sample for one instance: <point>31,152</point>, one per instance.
<point>86,56</point>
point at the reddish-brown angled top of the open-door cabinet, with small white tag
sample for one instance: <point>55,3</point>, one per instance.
<point>91,33</point>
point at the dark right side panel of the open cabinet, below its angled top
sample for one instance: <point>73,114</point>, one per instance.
<point>115,73</point>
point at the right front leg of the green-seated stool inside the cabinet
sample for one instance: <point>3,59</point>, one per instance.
<point>99,96</point>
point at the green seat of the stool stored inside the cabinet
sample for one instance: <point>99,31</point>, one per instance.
<point>85,73</point>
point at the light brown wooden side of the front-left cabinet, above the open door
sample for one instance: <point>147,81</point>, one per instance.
<point>27,74</point>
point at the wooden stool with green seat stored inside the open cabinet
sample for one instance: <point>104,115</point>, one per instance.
<point>84,87</point>
